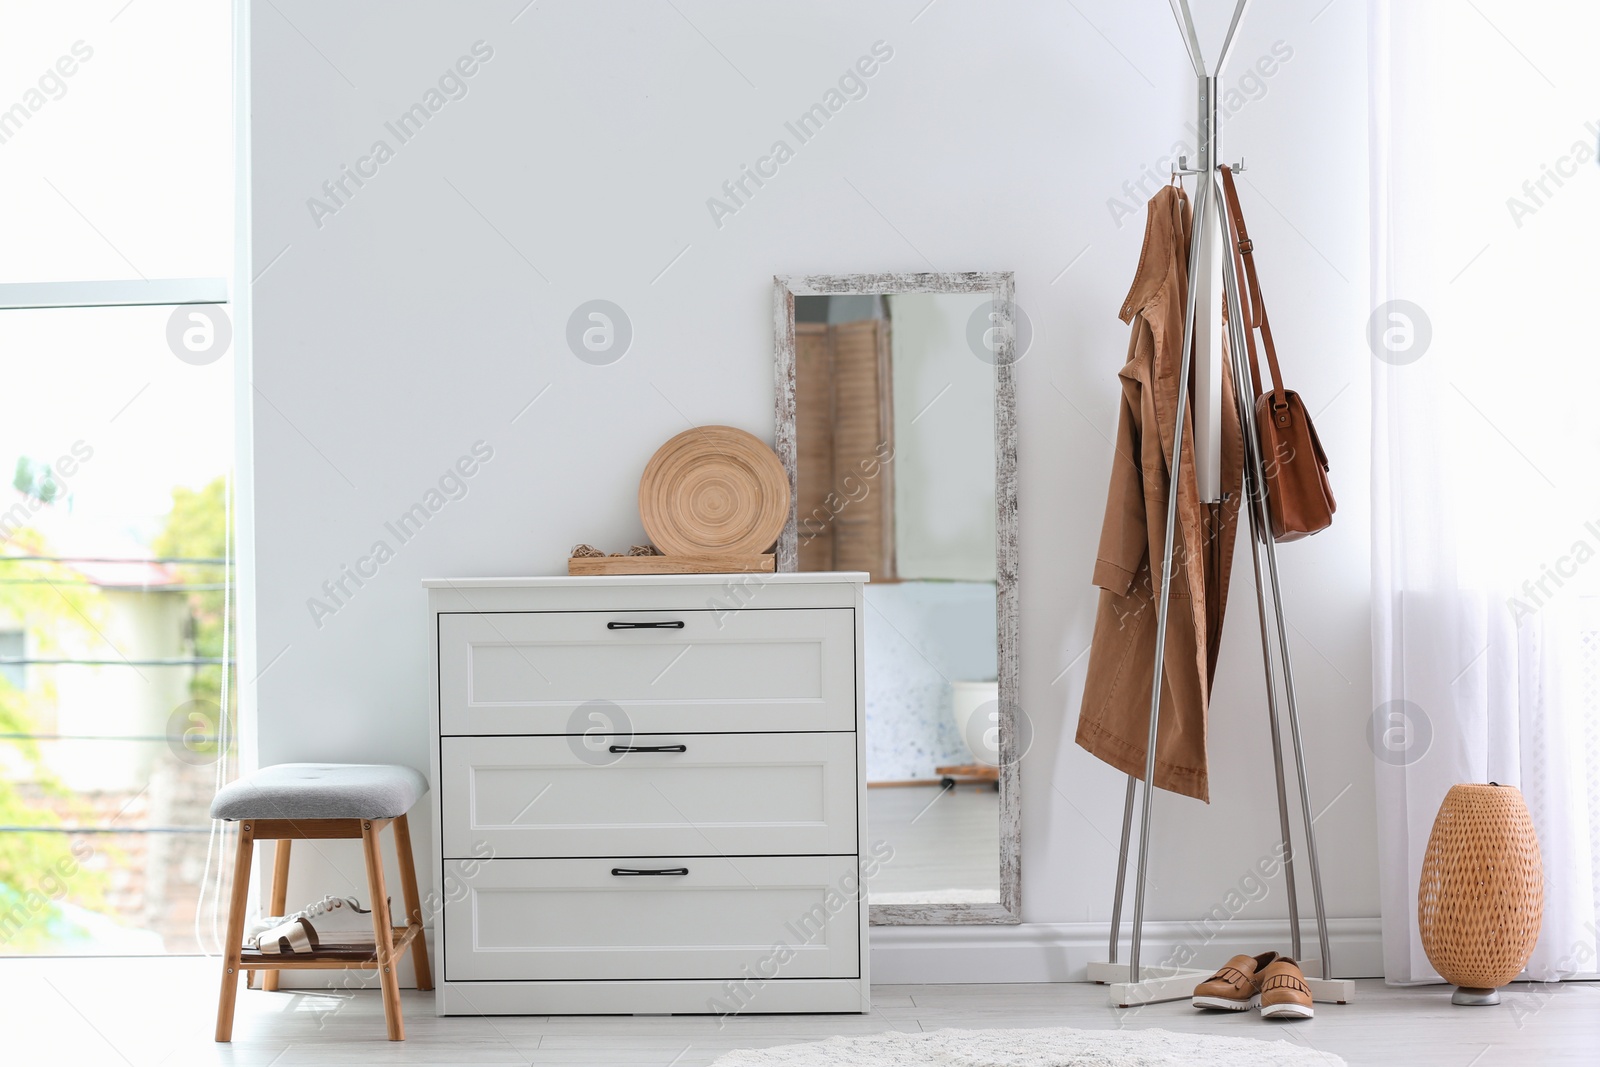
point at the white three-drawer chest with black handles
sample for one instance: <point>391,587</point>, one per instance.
<point>649,794</point>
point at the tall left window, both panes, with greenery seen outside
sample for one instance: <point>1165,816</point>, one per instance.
<point>116,446</point>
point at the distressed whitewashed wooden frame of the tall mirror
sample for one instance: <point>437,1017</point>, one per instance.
<point>1002,290</point>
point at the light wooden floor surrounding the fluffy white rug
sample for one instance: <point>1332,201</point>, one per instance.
<point>161,1012</point>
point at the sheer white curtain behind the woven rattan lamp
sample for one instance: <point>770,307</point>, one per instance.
<point>1486,207</point>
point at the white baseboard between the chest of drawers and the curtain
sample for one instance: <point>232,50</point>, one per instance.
<point>1062,953</point>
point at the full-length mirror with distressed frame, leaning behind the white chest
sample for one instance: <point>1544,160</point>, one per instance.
<point>897,425</point>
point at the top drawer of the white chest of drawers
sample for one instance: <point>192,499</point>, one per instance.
<point>628,671</point>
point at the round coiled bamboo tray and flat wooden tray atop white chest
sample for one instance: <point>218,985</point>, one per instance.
<point>713,502</point>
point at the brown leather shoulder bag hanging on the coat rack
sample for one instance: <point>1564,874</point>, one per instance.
<point>1300,500</point>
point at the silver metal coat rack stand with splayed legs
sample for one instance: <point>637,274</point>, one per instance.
<point>1130,983</point>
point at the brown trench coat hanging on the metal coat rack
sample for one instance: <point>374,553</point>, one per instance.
<point>1116,719</point>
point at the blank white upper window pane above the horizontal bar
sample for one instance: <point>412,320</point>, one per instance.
<point>118,140</point>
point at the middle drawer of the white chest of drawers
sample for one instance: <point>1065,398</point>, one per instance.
<point>761,794</point>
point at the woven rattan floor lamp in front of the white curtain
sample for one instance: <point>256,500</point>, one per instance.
<point>1482,893</point>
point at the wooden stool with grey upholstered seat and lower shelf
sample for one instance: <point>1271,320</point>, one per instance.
<point>324,802</point>
